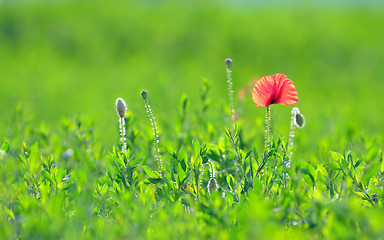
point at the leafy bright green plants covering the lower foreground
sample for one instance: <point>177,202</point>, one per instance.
<point>224,188</point>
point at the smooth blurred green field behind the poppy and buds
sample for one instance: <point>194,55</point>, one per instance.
<point>65,58</point>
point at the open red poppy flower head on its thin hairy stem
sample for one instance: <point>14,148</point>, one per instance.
<point>276,89</point>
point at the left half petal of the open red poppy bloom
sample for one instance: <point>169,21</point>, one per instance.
<point>264,91</point>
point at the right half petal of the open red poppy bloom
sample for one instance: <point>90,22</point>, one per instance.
<point>286,93</point>
